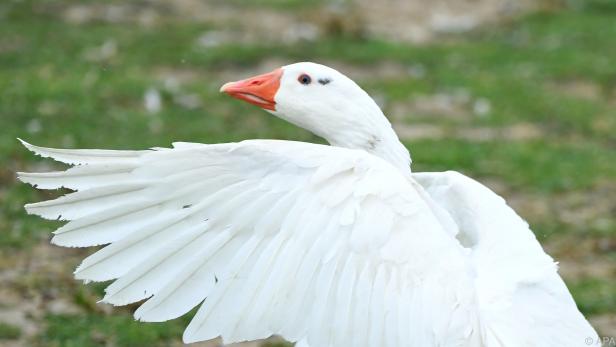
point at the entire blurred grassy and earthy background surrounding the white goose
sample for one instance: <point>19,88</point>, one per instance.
<point>518,94</point>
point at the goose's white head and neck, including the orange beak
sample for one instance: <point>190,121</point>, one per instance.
<point>326,103</point>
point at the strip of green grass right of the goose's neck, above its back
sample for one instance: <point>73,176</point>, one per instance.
<point>523,165</point>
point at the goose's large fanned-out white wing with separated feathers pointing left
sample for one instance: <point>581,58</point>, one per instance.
<point>274,237</point>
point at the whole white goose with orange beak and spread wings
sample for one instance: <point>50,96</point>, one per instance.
<point>332,245</point>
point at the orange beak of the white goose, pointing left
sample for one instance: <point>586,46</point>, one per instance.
<point>259,90</point>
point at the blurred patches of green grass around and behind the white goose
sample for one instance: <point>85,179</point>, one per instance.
<point>58,89</point>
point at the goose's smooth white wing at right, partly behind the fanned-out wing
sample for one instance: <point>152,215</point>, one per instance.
<point>523,301</point>
